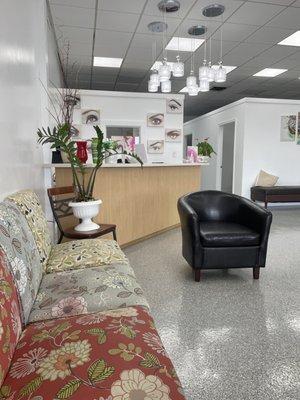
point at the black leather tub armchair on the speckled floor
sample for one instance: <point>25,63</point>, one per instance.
<point>222,230</point>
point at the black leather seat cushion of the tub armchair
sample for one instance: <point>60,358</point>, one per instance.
<point>227,234</point>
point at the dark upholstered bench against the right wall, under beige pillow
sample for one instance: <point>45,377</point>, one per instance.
<point>275,194</point>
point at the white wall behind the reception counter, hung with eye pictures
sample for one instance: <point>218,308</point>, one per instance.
<point>122,108</point>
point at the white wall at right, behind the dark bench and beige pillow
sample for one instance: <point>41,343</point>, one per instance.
<point>262,146</point>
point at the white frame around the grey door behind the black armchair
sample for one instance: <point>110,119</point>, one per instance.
<point>220,153</point>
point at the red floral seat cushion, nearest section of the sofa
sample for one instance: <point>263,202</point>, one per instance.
<point>116,355</point>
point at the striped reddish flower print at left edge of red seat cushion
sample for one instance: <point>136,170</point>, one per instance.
<point>27,364</point>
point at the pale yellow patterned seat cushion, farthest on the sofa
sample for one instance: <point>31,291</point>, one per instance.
<point>84,253</point>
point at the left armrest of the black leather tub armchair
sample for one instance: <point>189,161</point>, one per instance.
<point>191,245</point>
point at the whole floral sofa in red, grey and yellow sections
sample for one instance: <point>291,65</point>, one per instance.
<point>74,323</point>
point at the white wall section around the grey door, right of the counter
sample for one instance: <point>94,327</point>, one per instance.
<point>209,125</point>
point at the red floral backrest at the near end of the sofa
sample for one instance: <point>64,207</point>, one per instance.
<point>10,322</point>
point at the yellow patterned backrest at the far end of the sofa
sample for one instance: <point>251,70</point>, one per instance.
<point>29,205</point>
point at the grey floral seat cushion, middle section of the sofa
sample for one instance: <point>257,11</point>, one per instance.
<point>87,291</point>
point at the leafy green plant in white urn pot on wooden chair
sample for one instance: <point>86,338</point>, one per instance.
<point>85,206</point>
